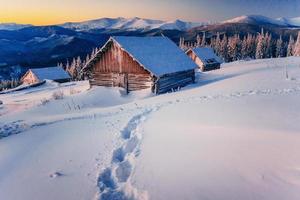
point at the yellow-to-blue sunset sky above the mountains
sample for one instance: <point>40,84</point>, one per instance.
<point>44,12</point>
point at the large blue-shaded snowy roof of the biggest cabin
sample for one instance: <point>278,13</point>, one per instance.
<point>159,55</point>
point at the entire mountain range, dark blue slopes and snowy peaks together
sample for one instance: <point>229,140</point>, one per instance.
<point>27,45</point>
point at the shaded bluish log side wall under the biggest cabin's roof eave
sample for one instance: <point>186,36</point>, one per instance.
<point>174,81</point>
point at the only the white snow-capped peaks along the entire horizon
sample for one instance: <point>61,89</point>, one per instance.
<point>137,23</point>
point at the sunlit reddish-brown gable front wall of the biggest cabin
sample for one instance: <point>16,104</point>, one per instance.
<point>116,68</point>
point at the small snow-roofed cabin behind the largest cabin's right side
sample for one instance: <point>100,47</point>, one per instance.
<point>205,58</point>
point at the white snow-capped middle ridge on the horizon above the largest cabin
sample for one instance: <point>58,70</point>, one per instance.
<point>130,24</point>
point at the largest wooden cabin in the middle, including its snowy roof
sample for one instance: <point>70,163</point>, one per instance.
<point>137,63</point>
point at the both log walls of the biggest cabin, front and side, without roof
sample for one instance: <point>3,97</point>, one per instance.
<point>116,68</point>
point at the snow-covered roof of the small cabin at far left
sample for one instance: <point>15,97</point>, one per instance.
<point>50,73</point>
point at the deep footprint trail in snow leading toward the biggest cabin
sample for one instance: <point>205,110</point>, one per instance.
<point>114,181</point>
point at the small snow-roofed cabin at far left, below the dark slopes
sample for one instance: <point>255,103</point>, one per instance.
<point>36,75</point>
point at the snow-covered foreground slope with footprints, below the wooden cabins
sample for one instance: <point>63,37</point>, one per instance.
<point>232,135</point>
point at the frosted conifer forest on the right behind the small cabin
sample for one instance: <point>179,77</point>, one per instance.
<point>259,46</point>
